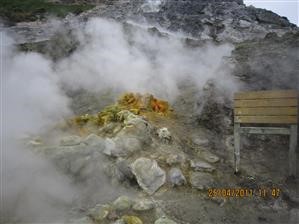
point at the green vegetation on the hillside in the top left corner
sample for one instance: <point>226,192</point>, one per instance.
<point>31,10</point>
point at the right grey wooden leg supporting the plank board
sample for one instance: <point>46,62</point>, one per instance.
<point>292,151</point>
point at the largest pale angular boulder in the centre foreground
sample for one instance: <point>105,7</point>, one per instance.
<point>149,175</point>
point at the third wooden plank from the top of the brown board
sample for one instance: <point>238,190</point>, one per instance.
<point>267,111</point>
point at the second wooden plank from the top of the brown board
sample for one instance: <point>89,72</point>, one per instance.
<point>267,103</point>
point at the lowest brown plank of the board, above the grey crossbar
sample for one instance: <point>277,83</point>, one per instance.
<point>266,119</point>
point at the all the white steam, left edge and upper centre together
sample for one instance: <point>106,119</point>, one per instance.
<point>110,55</point>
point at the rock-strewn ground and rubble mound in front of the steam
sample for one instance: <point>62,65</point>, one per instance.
<point>163,168</point>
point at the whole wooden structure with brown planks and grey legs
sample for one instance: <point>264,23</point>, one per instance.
<point>255,111</point>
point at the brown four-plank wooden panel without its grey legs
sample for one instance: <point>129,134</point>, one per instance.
<point>266,107</point>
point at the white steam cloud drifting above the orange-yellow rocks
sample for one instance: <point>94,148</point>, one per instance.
<point>136,60</point>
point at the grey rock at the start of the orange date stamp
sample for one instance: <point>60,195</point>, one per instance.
<point>201,180</point>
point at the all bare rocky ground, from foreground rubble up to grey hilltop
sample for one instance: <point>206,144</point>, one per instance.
<point>144,160</point>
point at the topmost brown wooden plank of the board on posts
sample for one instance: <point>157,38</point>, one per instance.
<point>267,94</point>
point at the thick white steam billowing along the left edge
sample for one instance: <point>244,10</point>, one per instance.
<point>33,191</point>
